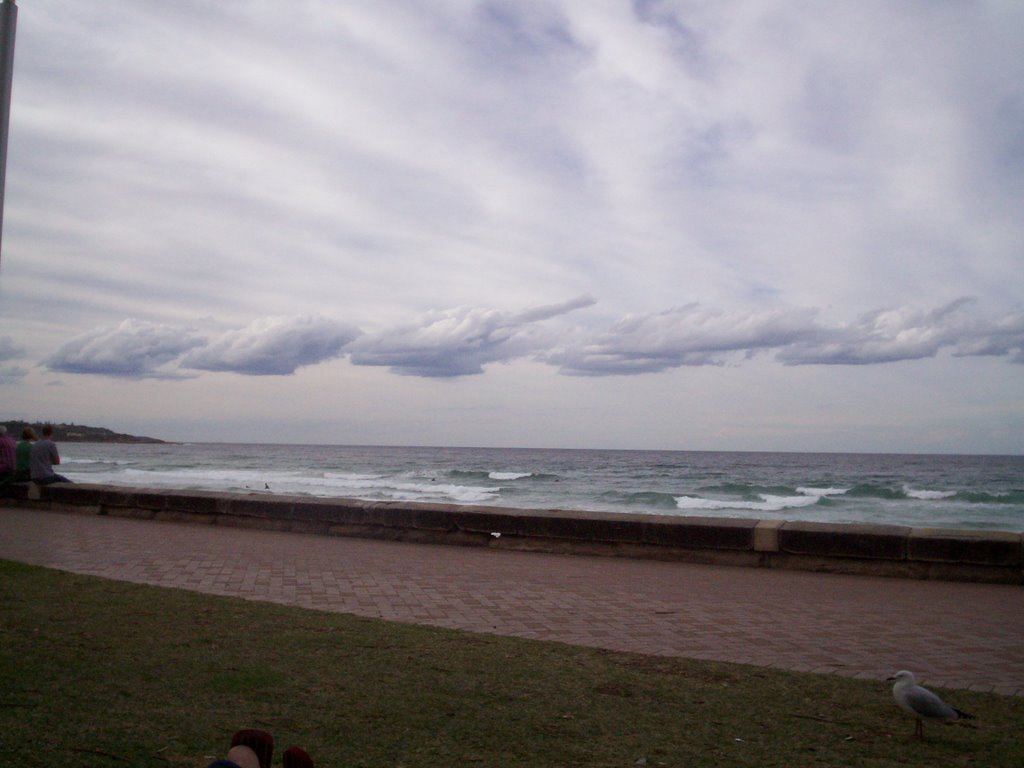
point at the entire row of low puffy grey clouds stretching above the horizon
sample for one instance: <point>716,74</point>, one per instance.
<point>461,342</point>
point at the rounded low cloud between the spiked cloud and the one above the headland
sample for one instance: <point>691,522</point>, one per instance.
<point>274,347</point>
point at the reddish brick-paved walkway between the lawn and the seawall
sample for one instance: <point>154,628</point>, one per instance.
<point>950,634</point>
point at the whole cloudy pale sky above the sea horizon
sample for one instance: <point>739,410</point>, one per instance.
<point>741,225</point>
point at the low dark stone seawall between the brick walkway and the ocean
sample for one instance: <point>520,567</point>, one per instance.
<point>879,550</point>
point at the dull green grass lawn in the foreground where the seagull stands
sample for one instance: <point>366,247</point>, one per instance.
<point>101,673</point>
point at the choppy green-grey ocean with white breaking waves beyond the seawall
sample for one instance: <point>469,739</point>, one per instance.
<point>963,492</point>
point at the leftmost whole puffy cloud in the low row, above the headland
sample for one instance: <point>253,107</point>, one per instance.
<point>135,350</point>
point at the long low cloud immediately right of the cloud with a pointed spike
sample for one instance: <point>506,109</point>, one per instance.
<point>692,335</point>
